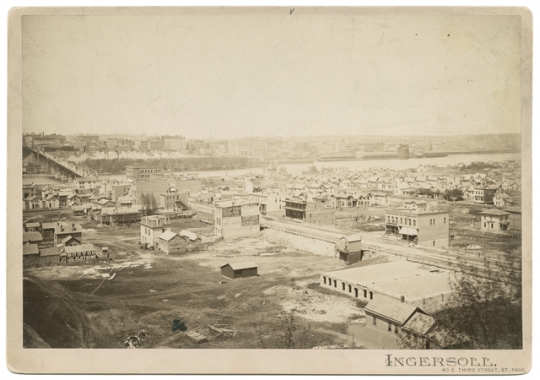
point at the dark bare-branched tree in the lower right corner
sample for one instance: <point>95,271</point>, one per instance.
<point>486,304</point>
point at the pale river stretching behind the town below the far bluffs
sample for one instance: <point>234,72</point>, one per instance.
<point>351,165</point>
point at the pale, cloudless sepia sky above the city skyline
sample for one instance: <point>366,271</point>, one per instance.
<point>235,76</point>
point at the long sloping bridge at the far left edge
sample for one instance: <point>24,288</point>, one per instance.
<point>61,169</point>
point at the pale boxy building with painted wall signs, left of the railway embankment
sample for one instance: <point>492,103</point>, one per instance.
<point>236,218</point>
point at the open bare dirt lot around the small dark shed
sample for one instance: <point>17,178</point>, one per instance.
<point>100,303</point>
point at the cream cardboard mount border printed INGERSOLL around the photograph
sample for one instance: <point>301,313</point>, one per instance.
<point>243,361</point>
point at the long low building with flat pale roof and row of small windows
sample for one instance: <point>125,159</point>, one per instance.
<point>416,284</point>
